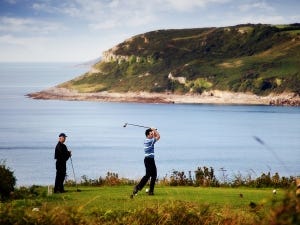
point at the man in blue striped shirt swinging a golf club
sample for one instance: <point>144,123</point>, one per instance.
<point>152,136</point>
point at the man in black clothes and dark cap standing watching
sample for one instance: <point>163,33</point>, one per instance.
<point>62,154</point>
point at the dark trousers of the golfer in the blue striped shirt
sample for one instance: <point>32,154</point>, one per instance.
<point>150,172</point>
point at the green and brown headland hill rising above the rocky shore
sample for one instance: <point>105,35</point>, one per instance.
<point>245,58</point>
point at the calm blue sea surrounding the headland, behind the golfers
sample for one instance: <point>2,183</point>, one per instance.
<point>245,140</point>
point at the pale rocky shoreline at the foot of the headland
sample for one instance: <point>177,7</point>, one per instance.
<point>211,97</point>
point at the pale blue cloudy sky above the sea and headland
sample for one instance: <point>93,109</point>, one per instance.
<point>80,30</point>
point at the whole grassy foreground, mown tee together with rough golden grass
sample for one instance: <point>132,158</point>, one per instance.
<point>170,205</point>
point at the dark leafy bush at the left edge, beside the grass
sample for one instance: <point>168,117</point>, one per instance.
<point>7,181</point>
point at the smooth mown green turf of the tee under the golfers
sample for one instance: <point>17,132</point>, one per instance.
<point>118,198</point>
